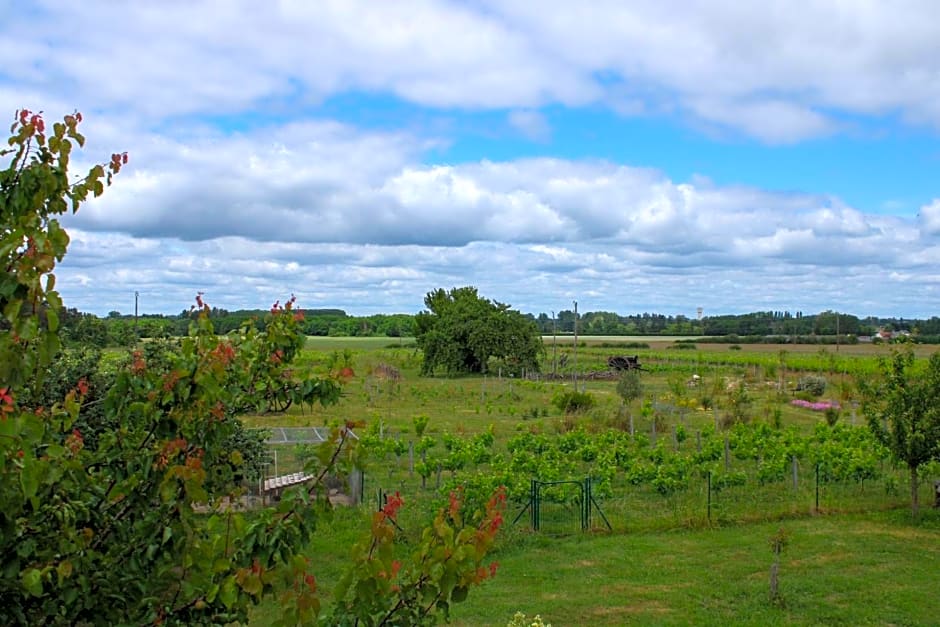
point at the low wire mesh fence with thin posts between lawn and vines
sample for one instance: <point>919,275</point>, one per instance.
<point>560,508</point>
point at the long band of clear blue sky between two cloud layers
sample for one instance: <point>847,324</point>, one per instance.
<point>879,165</point>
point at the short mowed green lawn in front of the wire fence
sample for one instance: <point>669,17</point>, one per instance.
<point>874,569</point>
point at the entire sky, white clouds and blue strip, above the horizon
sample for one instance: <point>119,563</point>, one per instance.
<point>631,155</point>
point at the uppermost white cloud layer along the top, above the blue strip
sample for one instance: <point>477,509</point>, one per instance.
<point>771,70</point>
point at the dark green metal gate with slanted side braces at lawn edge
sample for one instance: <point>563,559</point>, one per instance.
<point>561,506</point>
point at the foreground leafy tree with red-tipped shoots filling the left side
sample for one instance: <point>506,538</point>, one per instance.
<point>106,530</point>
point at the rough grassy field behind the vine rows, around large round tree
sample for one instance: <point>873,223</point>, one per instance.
<point>469,404</point>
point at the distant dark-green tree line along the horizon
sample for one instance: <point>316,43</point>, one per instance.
<point>117,329</point>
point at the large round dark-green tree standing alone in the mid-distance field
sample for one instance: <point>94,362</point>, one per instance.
<point>460,332</point>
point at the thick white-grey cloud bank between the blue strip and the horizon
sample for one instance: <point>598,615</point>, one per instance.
<point>350,219</point>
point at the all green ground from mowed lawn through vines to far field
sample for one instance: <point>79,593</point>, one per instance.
<point>723,448</point>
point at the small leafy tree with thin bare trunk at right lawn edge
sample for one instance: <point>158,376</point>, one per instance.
<point>904,412</point>
